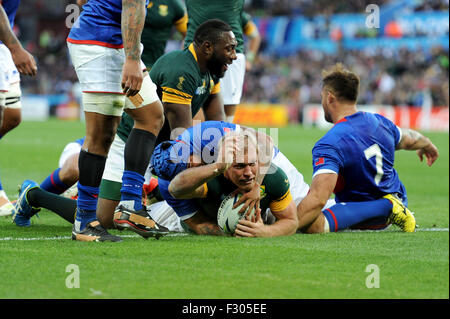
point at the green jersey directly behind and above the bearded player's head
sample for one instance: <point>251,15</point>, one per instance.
<point>226,10</point>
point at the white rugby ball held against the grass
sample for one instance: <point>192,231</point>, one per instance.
<point>227,217</point>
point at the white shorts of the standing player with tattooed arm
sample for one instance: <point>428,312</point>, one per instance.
<point>99,71</point>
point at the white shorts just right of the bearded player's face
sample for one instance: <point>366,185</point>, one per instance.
<point>233,81</point>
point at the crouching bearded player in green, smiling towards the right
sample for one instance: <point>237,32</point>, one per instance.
<point>187,80</point>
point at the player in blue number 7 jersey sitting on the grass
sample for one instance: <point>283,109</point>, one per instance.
<point>355,160</point>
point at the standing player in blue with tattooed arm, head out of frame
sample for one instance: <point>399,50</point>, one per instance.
<point>104,45</point>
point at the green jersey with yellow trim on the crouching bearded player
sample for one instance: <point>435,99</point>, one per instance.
<point>179,80</point>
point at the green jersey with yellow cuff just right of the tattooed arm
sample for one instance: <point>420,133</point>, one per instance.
<point>161,16</point>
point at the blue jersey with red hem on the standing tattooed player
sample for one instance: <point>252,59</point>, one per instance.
<point>99,24</point>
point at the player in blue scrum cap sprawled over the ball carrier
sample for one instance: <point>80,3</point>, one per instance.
<point>198,146</point>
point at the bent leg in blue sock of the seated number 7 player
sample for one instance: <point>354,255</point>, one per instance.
<point>345,215</point>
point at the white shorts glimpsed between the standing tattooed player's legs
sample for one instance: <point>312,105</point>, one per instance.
<point>115,162</point>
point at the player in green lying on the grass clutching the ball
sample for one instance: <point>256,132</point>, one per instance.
<point>236,171</point>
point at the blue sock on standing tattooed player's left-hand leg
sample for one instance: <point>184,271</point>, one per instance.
<point>86,205</point>
